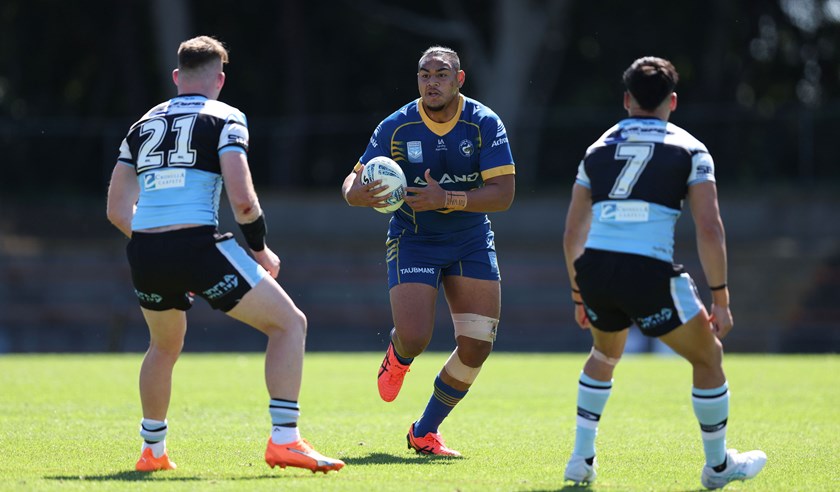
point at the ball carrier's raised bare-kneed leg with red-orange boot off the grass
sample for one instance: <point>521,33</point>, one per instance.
<point>413,311</point>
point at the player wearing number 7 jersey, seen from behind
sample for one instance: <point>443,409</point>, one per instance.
<point>619,250</point>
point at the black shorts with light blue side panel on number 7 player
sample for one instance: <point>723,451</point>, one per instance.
<point>619,289</point>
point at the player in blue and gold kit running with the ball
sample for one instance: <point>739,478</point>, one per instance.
<point>458,164</point>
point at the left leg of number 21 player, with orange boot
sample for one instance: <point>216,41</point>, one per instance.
<point>166,330</point>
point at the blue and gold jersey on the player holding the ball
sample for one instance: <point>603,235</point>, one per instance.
<point>461,154</point>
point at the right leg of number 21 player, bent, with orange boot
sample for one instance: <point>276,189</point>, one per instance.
<point>268,308</point>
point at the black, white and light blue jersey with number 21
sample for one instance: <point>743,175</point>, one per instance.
<point>174,149</point>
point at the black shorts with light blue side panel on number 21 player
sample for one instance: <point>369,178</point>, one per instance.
<point>168,267</point>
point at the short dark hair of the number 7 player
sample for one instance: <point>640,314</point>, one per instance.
<point>650,80</point>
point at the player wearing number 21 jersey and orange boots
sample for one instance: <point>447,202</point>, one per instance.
<point>164,195</point>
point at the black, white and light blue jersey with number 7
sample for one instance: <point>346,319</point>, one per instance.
<point>639,172</point>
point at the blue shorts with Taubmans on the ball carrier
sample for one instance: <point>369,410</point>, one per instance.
<point>426,258</point>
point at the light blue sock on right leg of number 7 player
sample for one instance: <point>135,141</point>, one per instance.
<point>711,406</point>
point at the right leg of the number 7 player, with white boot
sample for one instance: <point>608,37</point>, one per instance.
<point>696,342</point>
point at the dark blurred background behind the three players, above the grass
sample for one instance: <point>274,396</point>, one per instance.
<point>759,85</point>
